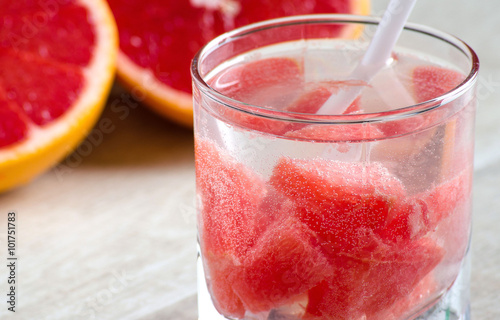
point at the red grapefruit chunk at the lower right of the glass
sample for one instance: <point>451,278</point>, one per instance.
<point>366,284</point>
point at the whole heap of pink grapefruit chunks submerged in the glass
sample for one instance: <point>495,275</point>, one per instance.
<point>343,240</point>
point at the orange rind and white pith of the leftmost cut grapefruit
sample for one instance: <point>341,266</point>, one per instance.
<point>46,146</point>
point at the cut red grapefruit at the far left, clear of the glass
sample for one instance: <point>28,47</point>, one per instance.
<point>57,63</point>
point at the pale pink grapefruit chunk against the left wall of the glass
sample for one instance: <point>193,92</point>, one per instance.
<point>230,195</point>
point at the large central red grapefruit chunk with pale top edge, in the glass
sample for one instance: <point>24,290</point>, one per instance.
<point>342,201</point>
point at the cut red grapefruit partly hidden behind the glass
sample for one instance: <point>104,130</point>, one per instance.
<point>159,39</point>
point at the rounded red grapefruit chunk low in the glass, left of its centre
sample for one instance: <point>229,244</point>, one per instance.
<point>285,263</point>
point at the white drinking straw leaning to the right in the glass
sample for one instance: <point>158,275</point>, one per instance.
<point>376,57</point>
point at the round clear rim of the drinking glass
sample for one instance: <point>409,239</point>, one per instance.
<point>393,114</point>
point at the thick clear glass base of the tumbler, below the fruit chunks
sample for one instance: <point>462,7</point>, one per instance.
<point>453,305</point>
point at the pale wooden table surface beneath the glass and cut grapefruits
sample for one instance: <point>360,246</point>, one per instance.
<point>110,232</point>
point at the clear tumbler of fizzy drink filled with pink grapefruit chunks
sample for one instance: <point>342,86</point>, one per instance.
<point>359,215</point>
